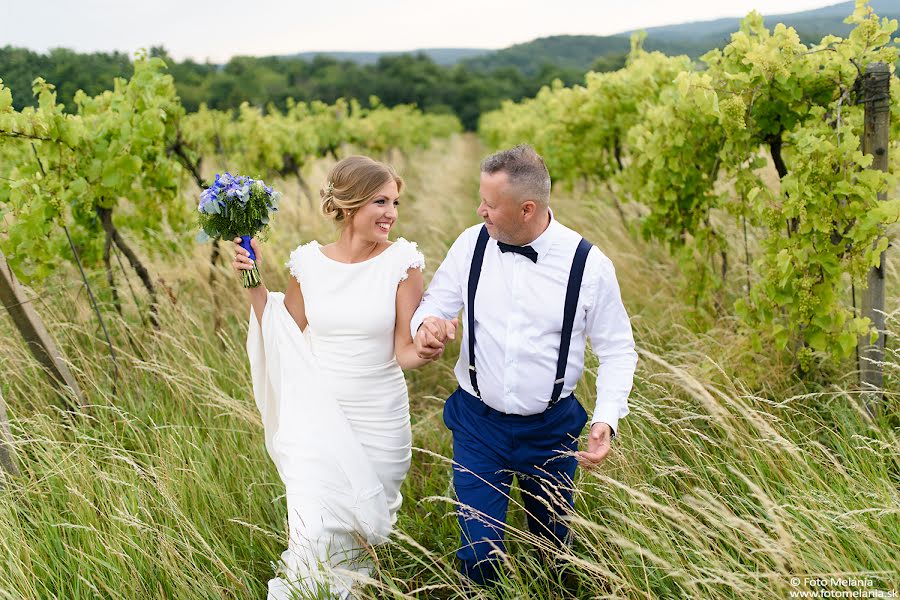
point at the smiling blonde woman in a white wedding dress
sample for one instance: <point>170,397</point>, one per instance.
<point>326,360</point>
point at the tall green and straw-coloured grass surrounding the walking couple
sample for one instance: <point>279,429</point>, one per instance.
<point>729,477</point>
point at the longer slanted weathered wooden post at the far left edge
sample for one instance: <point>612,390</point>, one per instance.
<point>29,324</point>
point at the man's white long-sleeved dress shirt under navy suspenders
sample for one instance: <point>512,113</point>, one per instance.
<point>518,323</point>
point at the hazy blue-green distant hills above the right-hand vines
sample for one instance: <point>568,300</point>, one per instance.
<point>693,39</point>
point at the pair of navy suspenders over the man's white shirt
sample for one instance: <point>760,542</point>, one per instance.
<point>576,273</point>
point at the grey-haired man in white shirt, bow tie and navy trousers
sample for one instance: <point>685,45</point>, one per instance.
<point>531,291</point>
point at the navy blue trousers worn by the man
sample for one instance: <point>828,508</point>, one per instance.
<point>489,448</point>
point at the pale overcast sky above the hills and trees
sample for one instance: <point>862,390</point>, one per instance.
<point>217,30</point>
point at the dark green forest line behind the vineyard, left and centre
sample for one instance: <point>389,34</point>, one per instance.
<point>402,79</point>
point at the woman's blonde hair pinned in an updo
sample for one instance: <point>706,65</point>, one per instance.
<point>352,183</point>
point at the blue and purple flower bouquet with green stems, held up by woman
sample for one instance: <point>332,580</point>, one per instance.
<point>237,207</point>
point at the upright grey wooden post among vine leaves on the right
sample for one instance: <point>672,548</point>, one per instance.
<point>877,99</point>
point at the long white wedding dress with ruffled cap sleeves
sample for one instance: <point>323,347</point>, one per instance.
<point>335,412</point>
